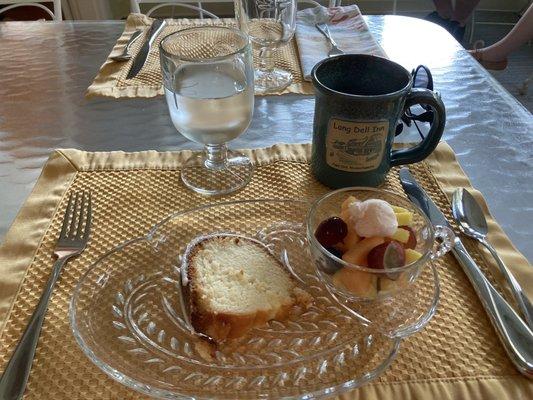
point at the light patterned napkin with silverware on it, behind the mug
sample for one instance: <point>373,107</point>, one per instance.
<point>347,27</point>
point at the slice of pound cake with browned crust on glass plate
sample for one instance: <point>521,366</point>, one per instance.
<point>236,284</point>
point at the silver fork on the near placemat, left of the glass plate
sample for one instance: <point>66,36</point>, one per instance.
<point>72,241</point>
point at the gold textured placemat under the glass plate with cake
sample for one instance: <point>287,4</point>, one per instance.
<point>457,356</point>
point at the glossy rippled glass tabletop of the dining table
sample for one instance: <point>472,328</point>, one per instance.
<point>47,67</point>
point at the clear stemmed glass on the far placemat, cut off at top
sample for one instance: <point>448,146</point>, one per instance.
<point>270,24</point>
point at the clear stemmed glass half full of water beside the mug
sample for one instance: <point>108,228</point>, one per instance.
<point>209,88</point>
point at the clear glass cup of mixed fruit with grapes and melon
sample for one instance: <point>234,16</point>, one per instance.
<point>370,269</point>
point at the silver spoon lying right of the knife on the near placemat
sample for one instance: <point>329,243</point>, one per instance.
<point>469,215</point>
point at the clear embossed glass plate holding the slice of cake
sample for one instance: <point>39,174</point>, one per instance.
<point>126,316</point>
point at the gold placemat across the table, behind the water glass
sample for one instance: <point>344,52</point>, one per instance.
<point>111,79</point>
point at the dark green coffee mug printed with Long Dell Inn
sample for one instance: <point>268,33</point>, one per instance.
<point>359,101</point>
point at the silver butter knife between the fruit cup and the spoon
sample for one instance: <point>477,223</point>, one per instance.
<point>515,335</point>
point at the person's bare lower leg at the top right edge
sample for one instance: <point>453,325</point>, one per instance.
<point>520,34</point>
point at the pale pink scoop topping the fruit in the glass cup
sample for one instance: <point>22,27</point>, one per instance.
<point>373,217</point>
